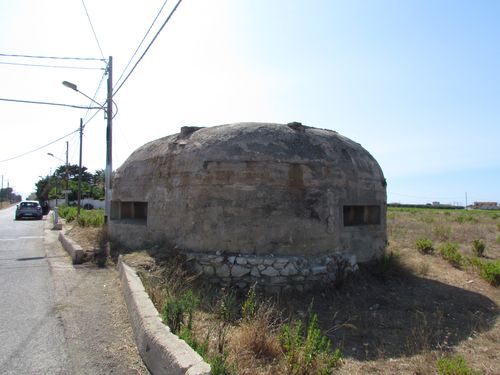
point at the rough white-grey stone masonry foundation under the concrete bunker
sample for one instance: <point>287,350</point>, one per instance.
<point>272,273</point>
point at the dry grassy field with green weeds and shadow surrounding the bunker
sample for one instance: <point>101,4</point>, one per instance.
<point>431,305</point>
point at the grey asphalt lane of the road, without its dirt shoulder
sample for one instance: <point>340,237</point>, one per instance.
<point>31,335</point>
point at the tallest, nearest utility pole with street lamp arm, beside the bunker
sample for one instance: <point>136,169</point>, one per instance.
<point>109,133</point>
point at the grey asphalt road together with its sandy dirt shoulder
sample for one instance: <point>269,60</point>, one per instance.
<point>56,318</point>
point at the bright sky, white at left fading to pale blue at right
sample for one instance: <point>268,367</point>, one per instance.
<point>415,82</point>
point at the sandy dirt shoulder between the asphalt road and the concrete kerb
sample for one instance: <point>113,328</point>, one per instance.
<point>91,308</point>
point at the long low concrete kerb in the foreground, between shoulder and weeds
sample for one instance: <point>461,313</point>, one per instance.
<point>161,350</point>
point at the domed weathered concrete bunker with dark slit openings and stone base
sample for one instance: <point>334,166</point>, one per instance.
<point>278,204</point>
